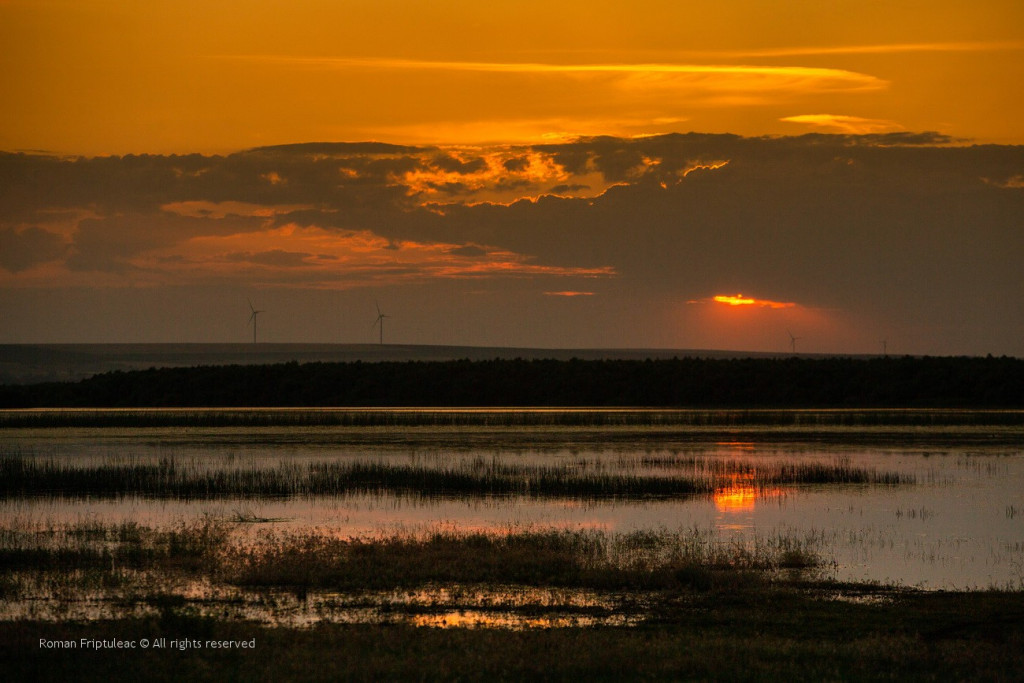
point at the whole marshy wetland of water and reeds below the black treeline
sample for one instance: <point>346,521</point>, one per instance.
<point>601,526</point>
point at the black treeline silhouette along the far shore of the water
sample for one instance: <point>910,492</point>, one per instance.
<point>885,382</point>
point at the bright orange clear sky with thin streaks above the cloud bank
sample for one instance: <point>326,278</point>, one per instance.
<point>101,77</point>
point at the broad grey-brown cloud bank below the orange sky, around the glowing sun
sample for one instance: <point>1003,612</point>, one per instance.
<point>888,235</point>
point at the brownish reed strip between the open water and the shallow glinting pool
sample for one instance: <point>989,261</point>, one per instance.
<point>317,561</point>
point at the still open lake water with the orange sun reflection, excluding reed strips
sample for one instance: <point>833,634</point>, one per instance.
<point>958,523</point>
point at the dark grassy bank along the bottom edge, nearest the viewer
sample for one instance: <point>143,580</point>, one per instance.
<point>758,635</point>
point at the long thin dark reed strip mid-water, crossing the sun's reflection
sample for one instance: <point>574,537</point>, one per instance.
<point>25,478</point>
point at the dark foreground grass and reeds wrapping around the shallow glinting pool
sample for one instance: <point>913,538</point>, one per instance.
<point>710,613</point>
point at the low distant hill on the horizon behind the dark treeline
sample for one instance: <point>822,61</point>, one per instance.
<point>31,364</point>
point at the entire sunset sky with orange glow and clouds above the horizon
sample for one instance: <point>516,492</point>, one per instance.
<point>721,175</point>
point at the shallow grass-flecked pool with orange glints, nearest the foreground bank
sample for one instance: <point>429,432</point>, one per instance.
<point>509,608</point>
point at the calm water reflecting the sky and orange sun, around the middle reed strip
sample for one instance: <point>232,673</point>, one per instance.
<point>962,526</point>
